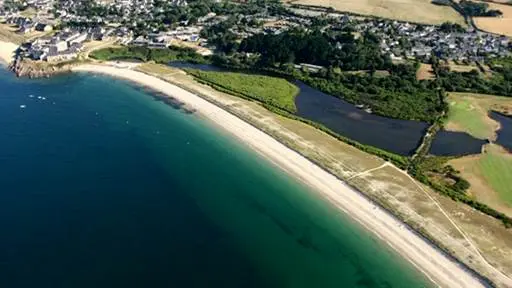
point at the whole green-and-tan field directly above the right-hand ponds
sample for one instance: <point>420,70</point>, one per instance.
<point>469,113</point>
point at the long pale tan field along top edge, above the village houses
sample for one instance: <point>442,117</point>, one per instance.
<point>421,11</point>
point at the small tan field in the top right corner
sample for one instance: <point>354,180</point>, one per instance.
<point>501,25</point>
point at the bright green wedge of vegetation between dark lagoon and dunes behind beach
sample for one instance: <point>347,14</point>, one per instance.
<point>270,90</point>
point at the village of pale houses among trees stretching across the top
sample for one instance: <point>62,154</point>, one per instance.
<point>66,27</point>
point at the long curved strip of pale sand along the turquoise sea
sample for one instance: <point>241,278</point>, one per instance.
<point>441,269</point>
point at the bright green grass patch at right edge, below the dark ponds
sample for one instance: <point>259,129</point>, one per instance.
<point>497,171</point>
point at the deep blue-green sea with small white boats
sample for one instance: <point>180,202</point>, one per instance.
<point>103,185</point>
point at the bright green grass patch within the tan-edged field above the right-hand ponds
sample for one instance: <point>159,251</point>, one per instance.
<point>468,117</point>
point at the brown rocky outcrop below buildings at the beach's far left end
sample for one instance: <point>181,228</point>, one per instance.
<point>33,69</point>
